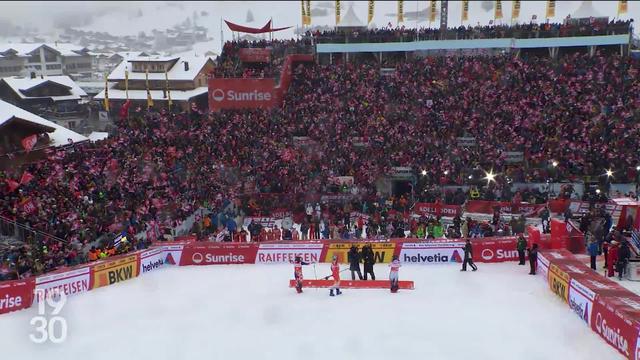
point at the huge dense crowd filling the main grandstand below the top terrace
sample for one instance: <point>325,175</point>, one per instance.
<point>339,120</point>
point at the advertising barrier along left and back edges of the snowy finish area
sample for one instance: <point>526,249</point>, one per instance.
<point>19,294</point>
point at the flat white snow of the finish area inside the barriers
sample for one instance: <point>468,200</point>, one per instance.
<point>248,312</point>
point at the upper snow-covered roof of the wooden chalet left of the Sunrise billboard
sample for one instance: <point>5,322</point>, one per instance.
<point>177,71</point>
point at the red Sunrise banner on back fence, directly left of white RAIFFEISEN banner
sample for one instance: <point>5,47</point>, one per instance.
<point>218,254</point>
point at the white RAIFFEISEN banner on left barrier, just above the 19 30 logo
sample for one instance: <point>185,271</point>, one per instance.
<point>70,282</point>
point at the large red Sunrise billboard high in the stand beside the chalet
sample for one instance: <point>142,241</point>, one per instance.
<point>242,93</point>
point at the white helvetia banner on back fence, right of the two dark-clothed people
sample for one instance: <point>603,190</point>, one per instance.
<point>431,253</point>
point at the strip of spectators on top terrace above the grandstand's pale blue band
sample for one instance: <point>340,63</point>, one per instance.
<point>585,27</point>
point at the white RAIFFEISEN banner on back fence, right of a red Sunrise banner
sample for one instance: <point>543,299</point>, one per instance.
<point>286,253</point>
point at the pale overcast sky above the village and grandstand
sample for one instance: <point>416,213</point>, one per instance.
<point>121,18</point>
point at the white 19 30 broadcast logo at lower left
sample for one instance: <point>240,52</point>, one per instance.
<point>54,328</point>
